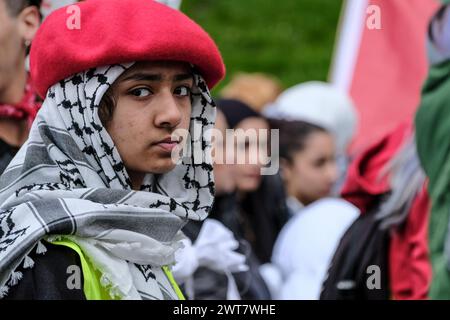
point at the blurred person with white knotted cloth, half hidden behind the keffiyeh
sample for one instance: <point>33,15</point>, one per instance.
<point>218,251</point>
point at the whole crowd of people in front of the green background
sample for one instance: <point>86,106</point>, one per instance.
<point>94,176</point>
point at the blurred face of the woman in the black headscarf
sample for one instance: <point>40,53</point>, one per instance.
<point>248,176</point>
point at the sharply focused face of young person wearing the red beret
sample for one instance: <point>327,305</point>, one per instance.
<point>152,99</point>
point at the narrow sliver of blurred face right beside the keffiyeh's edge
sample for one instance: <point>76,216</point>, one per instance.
<point>223,173</point>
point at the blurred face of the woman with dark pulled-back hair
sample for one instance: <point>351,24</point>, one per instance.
<point>313,171</point>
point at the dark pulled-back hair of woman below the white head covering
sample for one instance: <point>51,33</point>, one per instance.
<point>293,135</point>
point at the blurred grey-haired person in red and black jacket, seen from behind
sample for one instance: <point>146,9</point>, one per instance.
<point>390,237</point>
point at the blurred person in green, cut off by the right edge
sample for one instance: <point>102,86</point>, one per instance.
<point>432,123</point>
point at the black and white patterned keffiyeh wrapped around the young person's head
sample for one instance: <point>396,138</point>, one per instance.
<point>69,180</point>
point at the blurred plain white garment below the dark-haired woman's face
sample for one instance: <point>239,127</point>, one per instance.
<point>306,244</point>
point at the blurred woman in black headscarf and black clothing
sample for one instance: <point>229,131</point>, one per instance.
<point>260,198</point>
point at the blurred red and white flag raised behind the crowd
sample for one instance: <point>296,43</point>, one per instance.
<point>380,59</point>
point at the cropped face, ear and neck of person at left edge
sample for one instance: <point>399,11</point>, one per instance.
<point>14,32</point>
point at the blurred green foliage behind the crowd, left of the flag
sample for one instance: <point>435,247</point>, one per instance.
<point>291,39</point>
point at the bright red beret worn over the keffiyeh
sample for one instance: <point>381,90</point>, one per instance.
<point>118,31</point>
